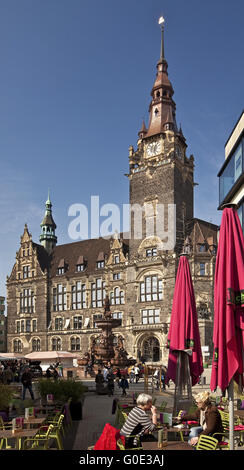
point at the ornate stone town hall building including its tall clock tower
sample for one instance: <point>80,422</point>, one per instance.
<point>56,292</point>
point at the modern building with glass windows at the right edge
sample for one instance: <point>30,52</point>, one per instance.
<point>231,175</point>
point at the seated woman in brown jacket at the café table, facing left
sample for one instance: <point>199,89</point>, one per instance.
<point>208,417</point>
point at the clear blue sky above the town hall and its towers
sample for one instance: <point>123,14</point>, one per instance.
<point>75,83</point>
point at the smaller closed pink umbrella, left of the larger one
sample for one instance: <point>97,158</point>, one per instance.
<point>184,330</point>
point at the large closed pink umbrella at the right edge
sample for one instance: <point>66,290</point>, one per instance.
<point>228,333</point>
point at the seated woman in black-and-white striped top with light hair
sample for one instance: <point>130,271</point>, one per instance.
<point>138,423</point>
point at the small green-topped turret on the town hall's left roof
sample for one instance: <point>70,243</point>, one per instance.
<point>48,238</point>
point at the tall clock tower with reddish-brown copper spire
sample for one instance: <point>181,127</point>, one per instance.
<point>161,174</point>
